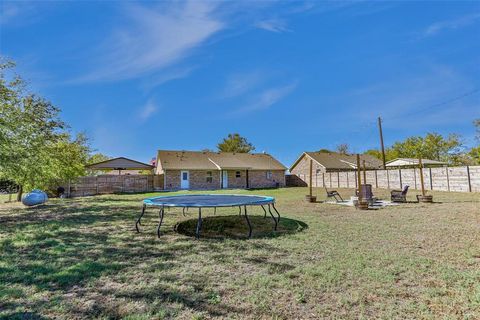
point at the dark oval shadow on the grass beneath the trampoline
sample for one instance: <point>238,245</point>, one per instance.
<point>236,227</point>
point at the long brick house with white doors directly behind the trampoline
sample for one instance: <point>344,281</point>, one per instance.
<point>215,170</point>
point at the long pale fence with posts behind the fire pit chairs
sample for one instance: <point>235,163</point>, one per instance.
<point>461,179</point>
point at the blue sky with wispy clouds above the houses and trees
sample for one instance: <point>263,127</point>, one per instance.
<point>289,76</point>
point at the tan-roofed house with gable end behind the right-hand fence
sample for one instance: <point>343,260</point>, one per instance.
<point>323,162</point>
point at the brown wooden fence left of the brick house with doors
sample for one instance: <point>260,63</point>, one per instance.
<point>105,184</point>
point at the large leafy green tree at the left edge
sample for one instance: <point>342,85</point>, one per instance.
<point>36,148</point>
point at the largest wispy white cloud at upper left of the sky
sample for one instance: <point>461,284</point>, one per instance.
<point>151,39</point>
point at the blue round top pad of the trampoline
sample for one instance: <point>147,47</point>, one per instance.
<point>209,200</point>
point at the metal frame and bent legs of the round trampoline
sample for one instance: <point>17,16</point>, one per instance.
<point>269,201</point>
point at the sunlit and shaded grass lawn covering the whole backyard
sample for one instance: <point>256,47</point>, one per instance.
<point>81,258</point>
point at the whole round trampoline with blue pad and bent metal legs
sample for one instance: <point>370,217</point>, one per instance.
<point>210,201</point>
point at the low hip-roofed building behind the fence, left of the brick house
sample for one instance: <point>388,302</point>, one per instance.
<point>120,166</point>
